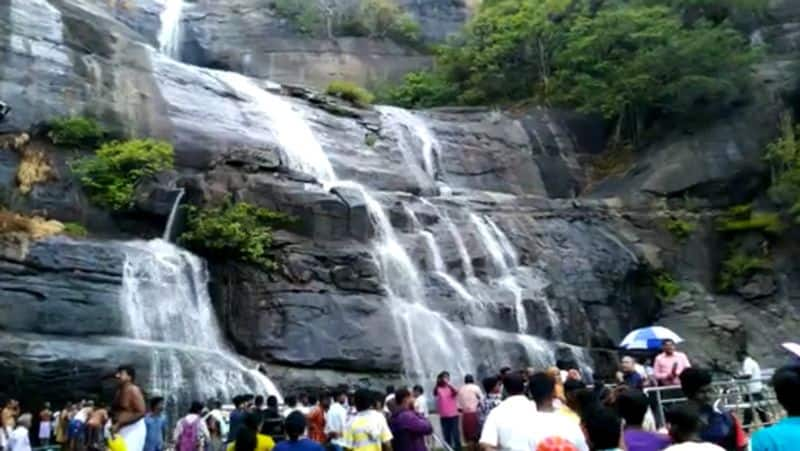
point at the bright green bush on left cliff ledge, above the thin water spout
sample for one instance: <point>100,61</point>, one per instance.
<point>111,175</point>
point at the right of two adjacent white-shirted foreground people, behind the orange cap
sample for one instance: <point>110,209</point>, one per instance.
<point>547,422</point>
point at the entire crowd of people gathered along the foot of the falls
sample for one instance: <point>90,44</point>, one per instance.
<point>548,409</point>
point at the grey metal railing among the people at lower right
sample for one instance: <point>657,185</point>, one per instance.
<point>733,395</point>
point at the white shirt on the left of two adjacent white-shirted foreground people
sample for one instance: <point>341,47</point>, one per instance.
<point>508,426</point>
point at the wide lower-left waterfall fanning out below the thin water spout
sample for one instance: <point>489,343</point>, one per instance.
<point>167,307</point>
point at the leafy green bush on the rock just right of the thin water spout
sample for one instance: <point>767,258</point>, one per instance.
<point>234,230</point>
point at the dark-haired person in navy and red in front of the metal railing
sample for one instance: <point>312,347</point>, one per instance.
<point>720,427</point>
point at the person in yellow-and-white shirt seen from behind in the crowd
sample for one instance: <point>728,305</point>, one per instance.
<point>368,430</point>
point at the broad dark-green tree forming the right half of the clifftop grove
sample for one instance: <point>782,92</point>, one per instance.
<point>635,64</point>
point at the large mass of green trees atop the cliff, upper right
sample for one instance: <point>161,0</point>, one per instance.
<point>632,62</point>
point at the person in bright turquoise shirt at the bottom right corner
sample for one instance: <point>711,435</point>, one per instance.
<point>785,435</point>
